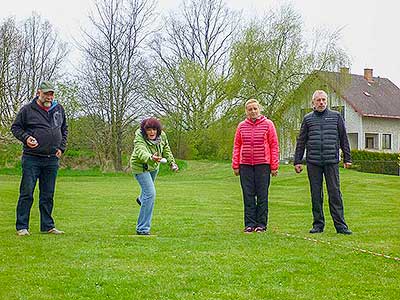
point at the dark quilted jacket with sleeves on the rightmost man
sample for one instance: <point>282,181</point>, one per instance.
<point>322,134</point>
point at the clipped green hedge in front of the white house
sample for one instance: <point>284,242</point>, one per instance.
<point>376,162</point>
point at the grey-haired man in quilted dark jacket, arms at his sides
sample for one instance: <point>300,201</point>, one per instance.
<point>322,133</point>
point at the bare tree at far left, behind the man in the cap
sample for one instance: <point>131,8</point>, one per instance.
<point>29,53</point>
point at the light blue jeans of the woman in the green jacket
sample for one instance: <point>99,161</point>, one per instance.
<point>147,197</point>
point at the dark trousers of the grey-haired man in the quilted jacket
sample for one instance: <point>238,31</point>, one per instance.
<point>331,174</point>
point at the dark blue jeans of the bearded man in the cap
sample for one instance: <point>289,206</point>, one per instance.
<point>34,168</point>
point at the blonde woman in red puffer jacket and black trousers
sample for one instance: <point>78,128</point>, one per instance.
<point>255,157</point>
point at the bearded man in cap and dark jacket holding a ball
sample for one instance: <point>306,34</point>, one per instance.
<point>41,126</point>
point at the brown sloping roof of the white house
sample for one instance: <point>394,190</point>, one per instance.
<point>379,98</point>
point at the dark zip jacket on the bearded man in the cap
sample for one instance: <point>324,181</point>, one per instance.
<point>48,128</point>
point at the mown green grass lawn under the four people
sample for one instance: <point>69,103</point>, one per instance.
<point>198,250</point>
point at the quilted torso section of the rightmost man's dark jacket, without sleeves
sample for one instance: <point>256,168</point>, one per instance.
<point>323,137</point>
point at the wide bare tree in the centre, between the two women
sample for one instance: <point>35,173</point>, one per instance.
<point>192,63</point>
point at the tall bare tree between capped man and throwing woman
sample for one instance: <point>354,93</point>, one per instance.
<point>111,74</point>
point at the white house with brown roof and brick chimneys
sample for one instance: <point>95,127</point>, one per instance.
<point>371,109</point>
